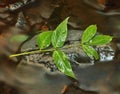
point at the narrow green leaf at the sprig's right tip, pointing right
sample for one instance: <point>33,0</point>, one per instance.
<point>100,40</point>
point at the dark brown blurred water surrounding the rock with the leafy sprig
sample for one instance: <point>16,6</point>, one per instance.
<point>29,16</point>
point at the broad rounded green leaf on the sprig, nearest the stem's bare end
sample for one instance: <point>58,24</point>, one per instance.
<point>44,39</point>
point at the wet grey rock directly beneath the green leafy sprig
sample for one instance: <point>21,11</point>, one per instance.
<point>75,53</point>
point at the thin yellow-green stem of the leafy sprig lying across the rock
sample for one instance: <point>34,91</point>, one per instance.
<point>48,50</point>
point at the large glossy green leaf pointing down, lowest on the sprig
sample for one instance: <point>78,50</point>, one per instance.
<point>62,63</point>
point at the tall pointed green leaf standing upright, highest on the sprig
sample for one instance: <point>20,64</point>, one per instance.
<point>60,34</point>
